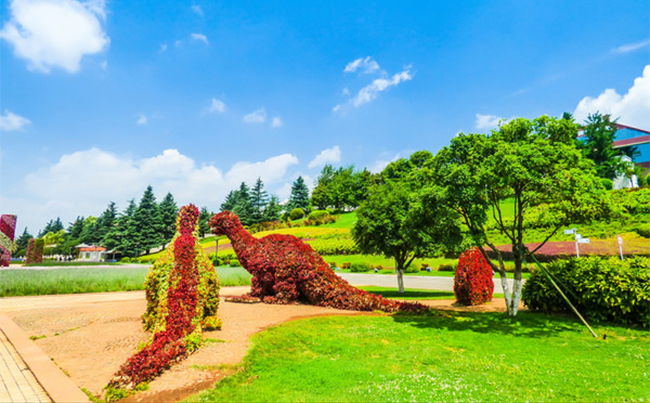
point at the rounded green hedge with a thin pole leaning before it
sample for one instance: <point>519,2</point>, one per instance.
<point>600,288</point>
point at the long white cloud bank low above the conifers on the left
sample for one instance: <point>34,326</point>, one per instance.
<point>81,183</point>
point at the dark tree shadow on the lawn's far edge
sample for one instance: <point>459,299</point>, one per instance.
<point>525,324</point>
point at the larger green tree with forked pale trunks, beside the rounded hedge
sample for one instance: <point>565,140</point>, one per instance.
<point>533,162</point>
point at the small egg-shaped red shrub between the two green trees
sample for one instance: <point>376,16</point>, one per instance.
<point>473,283</point>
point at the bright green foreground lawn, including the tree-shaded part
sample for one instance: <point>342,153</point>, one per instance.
<point>442,357</point>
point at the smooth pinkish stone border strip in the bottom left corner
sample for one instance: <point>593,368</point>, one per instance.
<point>58,386</point>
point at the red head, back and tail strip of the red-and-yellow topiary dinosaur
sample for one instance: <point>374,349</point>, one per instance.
<point>171,344</point>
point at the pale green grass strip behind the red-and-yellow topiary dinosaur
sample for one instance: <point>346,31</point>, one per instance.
<point>14,283</point>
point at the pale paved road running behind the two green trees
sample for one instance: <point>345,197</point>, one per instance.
<point>421,282</point>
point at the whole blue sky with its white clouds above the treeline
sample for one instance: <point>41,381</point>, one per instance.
<point>100,99</point>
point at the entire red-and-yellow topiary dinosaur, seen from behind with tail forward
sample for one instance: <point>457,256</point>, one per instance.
<point>182,291</point>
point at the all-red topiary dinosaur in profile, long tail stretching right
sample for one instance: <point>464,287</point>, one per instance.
<point>286,270</point>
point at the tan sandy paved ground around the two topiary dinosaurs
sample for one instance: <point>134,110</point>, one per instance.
<point>90,341</point>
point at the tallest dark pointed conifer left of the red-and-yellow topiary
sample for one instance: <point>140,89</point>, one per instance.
<point>147,222</point>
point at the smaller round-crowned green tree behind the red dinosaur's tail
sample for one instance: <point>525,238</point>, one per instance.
<point>402,222</point>
